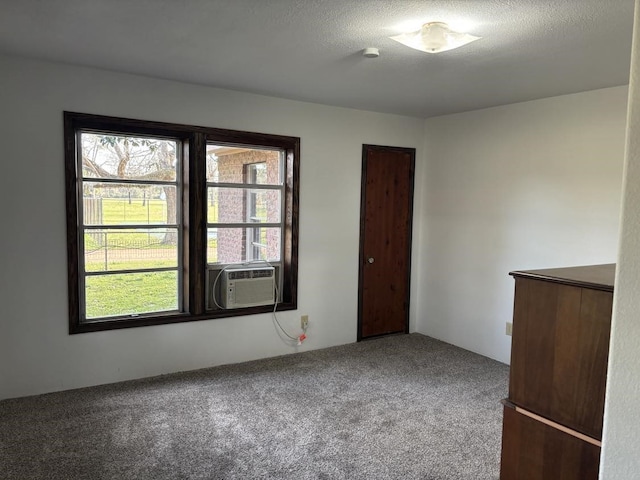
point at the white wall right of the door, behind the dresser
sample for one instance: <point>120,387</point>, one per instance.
<point>523,186</point>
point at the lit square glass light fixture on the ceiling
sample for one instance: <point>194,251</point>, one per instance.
<point>434,37</point>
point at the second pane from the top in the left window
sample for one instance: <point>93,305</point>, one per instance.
<point>122,204</point>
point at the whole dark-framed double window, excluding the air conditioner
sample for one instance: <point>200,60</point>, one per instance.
<point>155,211</point>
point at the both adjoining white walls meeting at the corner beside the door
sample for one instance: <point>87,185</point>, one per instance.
<point>530,185</point>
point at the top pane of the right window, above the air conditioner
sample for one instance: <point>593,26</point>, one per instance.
<point>231,165</point>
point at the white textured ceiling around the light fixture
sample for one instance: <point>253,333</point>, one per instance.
<point>311,49</point>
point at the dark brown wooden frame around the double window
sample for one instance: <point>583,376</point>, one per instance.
<point>193,140</point>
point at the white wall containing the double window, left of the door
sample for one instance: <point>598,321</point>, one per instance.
<point>36,353</point>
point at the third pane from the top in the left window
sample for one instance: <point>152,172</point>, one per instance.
<point>108,250</point>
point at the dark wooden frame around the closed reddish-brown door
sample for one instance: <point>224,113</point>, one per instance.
<point>363,203</point>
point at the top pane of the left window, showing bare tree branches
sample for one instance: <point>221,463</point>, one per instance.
<point>135,158</point>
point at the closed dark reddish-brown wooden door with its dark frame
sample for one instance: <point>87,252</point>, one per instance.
<point>385,240</point>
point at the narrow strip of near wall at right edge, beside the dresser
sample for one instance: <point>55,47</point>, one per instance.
<point>620,459</point>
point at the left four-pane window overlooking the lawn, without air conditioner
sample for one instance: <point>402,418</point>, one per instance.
<point>129,223</point>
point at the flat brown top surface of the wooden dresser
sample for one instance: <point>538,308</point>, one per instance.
<point>599,277</point>
